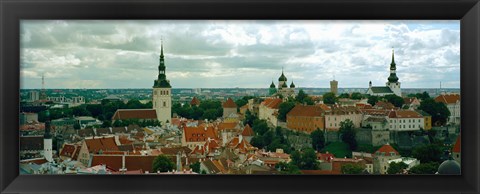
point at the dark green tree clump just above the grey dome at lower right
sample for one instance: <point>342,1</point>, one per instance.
<point>428,153</point>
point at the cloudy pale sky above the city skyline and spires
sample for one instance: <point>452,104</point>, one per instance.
<point>249,54</point>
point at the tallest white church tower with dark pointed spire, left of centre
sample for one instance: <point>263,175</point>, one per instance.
<point>162,93</point>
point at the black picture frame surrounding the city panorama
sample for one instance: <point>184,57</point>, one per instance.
<point>12,11</point>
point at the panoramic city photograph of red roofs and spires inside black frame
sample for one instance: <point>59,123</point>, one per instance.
<point>245,97</point>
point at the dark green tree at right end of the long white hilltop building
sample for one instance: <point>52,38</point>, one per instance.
<point>438,110</point>
